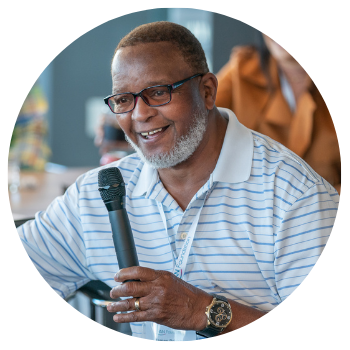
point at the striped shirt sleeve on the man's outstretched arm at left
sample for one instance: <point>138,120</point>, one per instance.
<point>54,243</point>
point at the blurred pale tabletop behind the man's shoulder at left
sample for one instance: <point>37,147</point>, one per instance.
<point>38,189</point>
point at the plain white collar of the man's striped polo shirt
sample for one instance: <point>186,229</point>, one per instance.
<point>234,163</point>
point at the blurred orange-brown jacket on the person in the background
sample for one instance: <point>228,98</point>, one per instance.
<point>310,132</point>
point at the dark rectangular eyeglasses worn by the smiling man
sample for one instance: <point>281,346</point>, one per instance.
<point>153,96</point>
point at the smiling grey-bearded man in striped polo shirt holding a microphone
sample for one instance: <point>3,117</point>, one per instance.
<point>215,208</point>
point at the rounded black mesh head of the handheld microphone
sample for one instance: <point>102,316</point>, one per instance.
<point>111,184</point>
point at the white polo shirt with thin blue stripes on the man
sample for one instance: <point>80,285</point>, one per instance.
<point>266,219</point>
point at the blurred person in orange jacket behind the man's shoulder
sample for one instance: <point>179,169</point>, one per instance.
<point>271,93</point>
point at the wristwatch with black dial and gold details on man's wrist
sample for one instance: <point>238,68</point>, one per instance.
<point>219,315</point>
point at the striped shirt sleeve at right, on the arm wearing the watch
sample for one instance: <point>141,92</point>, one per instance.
<point>303,235</point>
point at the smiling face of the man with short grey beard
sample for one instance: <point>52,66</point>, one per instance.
<point>182,121</point>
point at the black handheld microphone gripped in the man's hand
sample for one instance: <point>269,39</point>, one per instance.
<point>112,190</point>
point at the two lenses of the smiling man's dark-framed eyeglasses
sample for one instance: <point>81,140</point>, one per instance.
<point>153,96</point>
